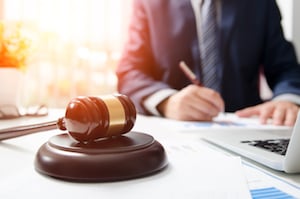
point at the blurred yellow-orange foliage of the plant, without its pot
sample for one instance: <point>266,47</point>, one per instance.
<point>15,45</point>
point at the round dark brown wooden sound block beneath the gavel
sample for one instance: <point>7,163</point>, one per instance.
<point>124,157</point>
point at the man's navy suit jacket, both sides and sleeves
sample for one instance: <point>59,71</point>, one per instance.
<point>251,40</point>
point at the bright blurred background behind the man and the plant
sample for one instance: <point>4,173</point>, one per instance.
<point>78,44</point>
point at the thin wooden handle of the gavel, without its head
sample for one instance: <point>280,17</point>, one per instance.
<point>13,132</point>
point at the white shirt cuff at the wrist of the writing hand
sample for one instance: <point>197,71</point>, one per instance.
<point>155,99</point>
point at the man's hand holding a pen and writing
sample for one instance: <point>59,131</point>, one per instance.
<point>193,103</point>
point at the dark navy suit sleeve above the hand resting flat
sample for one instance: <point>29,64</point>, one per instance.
<point>280,62</point>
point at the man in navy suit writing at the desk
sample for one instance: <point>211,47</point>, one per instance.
<point>250,41</point>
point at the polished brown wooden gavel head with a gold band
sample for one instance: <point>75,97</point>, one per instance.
<point>88,119</point>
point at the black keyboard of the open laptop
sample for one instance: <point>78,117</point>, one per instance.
<point>278,146</point>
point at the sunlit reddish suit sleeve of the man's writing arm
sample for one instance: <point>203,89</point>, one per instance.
<point>137,73</point>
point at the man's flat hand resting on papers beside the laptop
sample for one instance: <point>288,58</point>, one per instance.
<point>281,112</point>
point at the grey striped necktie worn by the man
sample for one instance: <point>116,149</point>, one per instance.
<point>208,44</point>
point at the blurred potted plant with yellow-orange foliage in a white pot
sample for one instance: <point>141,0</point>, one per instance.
<point>15,48</point>
